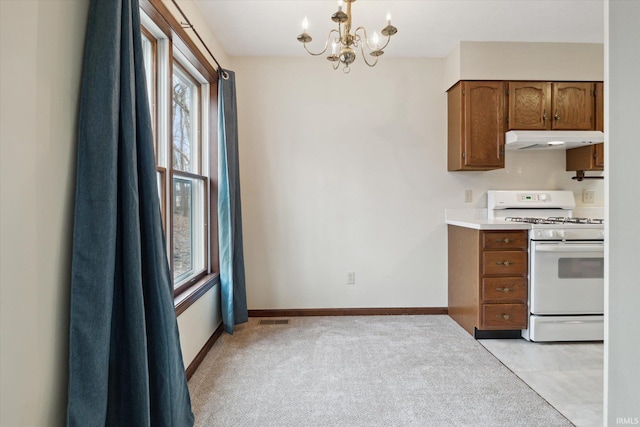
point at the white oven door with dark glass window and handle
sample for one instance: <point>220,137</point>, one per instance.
<point>566,277</point>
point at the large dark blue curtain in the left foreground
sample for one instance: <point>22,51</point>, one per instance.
<point>125,363</point>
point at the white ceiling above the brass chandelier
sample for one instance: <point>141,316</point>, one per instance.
<point>426,28</point>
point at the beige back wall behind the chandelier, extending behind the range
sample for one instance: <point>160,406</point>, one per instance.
<point>348,173</point>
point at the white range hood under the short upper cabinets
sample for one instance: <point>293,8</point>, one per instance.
<point>551,139</point>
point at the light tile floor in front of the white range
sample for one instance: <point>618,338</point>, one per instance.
<point>567,375</point>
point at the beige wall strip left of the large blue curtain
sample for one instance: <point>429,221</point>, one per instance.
<point>41,49</point>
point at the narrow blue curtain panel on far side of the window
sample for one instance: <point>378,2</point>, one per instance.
<point>232,278</point>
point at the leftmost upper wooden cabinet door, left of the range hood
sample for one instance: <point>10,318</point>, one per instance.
<point>484,124</point>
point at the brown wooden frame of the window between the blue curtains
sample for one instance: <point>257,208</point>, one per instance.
<point>156,13</point>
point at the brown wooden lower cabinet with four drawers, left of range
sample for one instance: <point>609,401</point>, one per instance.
<point>488,279</point>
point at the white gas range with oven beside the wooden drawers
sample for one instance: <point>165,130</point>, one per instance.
<point>566,264</point>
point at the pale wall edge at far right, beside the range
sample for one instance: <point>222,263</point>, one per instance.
<point>622,283</point>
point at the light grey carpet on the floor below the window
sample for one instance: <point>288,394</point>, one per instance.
<point>361,371</point>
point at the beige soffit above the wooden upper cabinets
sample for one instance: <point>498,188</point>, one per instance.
<point>525,61</point>
